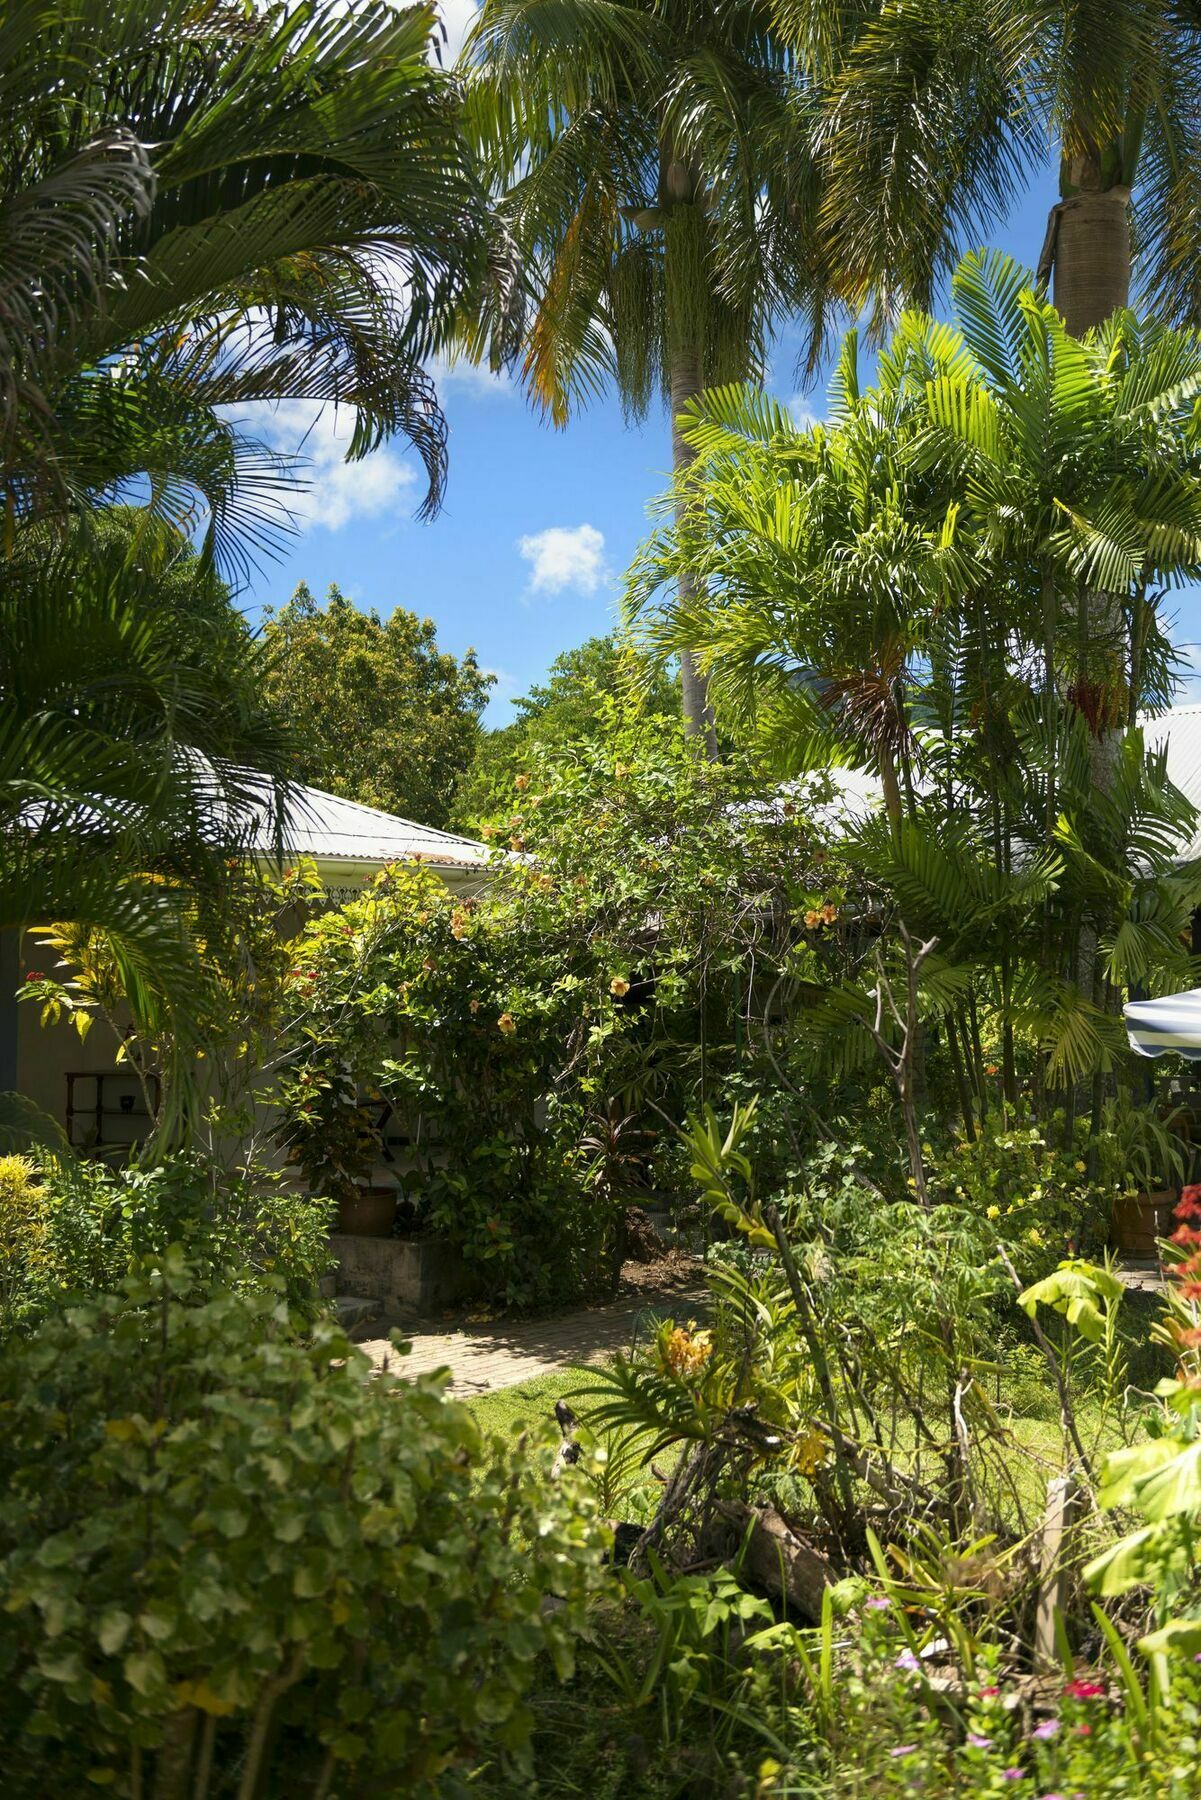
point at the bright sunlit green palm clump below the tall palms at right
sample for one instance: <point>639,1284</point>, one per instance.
<point>912,589</point>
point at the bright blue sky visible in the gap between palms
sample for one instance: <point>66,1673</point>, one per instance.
<point>527,557</point>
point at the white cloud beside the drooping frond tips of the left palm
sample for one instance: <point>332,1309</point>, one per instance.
<point>334,489</point>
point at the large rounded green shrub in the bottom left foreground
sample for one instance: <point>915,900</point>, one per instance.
<point>222,1545</point>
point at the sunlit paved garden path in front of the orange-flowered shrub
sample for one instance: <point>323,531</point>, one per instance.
<point>487,1354</point>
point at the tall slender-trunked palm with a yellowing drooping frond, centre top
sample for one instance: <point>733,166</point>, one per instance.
<point>655,174</point>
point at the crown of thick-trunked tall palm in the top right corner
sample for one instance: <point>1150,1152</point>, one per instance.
<point>941,111</point>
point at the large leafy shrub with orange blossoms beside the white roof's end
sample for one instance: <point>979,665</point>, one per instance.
<point>604,969</point>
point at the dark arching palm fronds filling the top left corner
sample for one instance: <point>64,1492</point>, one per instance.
<point>204,206</point>
